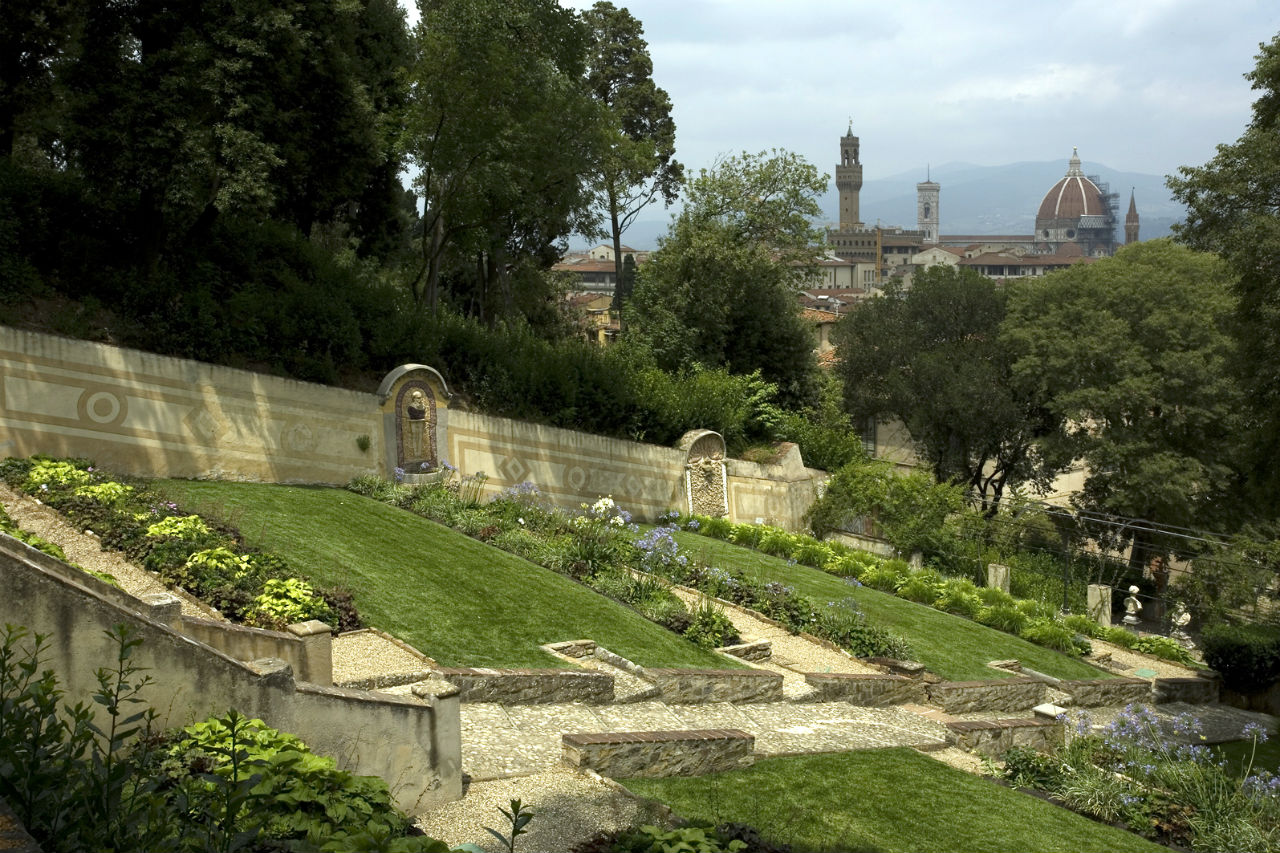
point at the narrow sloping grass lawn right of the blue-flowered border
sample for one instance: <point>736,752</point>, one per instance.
<point>956,649</point>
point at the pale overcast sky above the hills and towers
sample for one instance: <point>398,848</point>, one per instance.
<point>1139,85</point>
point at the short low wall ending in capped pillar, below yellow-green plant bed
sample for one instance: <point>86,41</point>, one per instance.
<point>308,647</point>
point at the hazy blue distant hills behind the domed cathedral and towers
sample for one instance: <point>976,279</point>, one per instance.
<point>975,200</point>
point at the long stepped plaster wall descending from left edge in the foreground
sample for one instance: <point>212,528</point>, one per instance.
<point>413,742</point>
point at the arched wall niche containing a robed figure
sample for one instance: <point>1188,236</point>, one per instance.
<point>415,416</point>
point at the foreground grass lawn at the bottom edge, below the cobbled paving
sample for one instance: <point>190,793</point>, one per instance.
<point>884,800</point>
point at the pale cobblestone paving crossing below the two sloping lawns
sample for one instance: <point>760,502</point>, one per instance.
<point>501,742</point>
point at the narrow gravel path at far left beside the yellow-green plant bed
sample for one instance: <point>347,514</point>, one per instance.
<point>85,550</point>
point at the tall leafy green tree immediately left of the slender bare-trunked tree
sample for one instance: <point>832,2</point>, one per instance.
<point>505,134</point>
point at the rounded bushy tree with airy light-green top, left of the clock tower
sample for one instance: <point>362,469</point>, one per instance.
<point>721,289</point>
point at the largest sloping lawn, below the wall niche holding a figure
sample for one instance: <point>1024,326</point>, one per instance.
<point>460,601</point>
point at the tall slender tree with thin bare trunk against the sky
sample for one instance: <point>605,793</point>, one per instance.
<point>639,168</point>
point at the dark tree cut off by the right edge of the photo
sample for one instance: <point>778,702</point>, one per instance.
<point>1233,208</point>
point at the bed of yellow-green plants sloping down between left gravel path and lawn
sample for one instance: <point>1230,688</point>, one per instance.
<point>211,562</point>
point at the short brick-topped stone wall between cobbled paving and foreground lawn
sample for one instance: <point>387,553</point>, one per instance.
<point>660,754</point>
